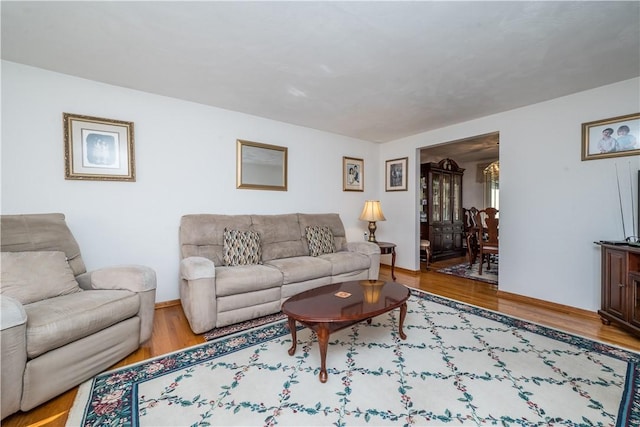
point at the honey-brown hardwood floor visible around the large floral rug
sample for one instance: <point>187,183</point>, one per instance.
<point>171,331</point>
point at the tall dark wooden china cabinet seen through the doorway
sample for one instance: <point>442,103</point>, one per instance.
<point>441,219</point>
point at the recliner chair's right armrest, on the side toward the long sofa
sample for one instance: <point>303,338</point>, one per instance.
<point>134,278</point>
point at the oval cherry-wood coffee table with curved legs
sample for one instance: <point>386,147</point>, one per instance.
<point>333,307</point>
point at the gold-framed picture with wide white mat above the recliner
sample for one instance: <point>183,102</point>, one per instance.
<point>98,149</point>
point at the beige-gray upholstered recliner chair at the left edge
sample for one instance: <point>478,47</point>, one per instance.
<point>61,325</point>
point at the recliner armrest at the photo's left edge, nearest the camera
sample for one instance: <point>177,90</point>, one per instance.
<point>13,337</point>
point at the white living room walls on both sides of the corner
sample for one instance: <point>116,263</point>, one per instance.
<point>553,205</point>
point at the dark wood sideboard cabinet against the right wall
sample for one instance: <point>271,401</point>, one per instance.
<point>621,286</point>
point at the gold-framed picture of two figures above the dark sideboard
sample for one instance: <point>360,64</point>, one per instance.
<point>614,137</point>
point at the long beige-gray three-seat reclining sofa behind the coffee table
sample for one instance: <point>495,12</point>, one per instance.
<point>214,294</point>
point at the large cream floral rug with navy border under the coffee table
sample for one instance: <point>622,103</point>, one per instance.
<point>460,365</point>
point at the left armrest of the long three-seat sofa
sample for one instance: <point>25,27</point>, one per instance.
<point>198,293</point>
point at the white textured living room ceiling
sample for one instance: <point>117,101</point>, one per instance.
<point>377,71</point>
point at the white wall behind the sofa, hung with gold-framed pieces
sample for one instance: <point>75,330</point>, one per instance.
<point>185,163</point>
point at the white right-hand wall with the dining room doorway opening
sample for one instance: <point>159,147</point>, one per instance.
<point>553,206</point>
